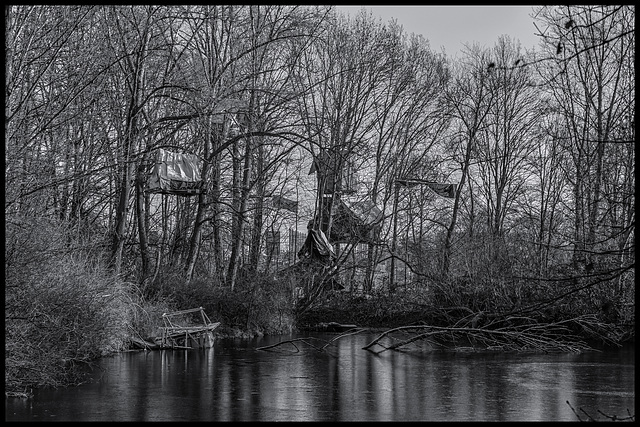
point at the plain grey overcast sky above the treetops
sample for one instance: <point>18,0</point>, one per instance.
<point>452,26</point>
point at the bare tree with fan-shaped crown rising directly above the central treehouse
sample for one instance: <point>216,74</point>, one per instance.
<point>344,72</point>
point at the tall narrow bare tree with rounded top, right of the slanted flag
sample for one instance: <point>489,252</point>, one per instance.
<point>502,150</point>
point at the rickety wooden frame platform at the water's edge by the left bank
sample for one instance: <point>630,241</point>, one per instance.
<point>174,335</point>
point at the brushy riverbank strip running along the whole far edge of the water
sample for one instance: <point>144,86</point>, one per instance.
<point>117,312</point>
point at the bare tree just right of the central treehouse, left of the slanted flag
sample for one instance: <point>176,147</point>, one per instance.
<point>410,121</point>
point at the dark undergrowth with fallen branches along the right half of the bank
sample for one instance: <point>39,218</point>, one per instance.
<point>455,305</point>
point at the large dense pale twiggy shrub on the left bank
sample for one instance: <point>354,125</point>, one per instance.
<point>62,307</point>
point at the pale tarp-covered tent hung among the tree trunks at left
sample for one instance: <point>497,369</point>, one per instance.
<point>176,173</point>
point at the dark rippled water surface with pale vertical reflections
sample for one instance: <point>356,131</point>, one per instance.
<point>235,382</point>
